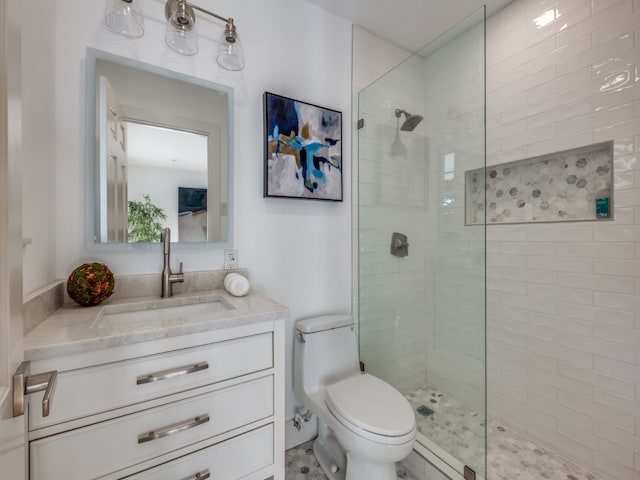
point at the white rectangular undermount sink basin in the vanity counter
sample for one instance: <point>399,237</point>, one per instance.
<point>154,315</point>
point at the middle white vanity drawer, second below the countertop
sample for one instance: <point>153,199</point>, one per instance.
<point>106,447</point>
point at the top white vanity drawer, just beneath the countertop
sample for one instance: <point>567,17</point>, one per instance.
<point>88,391</point>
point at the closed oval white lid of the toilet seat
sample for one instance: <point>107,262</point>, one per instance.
<point>372,405</point>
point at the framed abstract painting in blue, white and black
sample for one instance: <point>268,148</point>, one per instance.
<point>303,150</point>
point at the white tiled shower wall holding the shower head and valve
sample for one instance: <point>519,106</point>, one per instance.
<point>389,290</point>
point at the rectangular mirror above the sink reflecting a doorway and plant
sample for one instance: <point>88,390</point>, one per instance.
<point>159,152</point>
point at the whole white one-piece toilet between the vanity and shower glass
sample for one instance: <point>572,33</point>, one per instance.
<point>365,425</point>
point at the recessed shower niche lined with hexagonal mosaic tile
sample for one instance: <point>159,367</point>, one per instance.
<point>571,185</point>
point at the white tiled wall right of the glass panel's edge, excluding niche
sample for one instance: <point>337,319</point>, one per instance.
<point>564,299</point>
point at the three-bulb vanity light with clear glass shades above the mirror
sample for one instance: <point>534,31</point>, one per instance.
<point>124,17</point>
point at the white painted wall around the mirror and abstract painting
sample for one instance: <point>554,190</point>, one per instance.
<point>298,252</point>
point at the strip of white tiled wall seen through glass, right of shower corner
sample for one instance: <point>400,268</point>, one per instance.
<point>455,295</point>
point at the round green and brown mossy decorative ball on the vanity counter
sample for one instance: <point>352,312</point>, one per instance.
<point>90,284</point>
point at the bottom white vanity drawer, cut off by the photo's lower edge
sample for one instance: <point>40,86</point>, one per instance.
<point>233,459</point>
